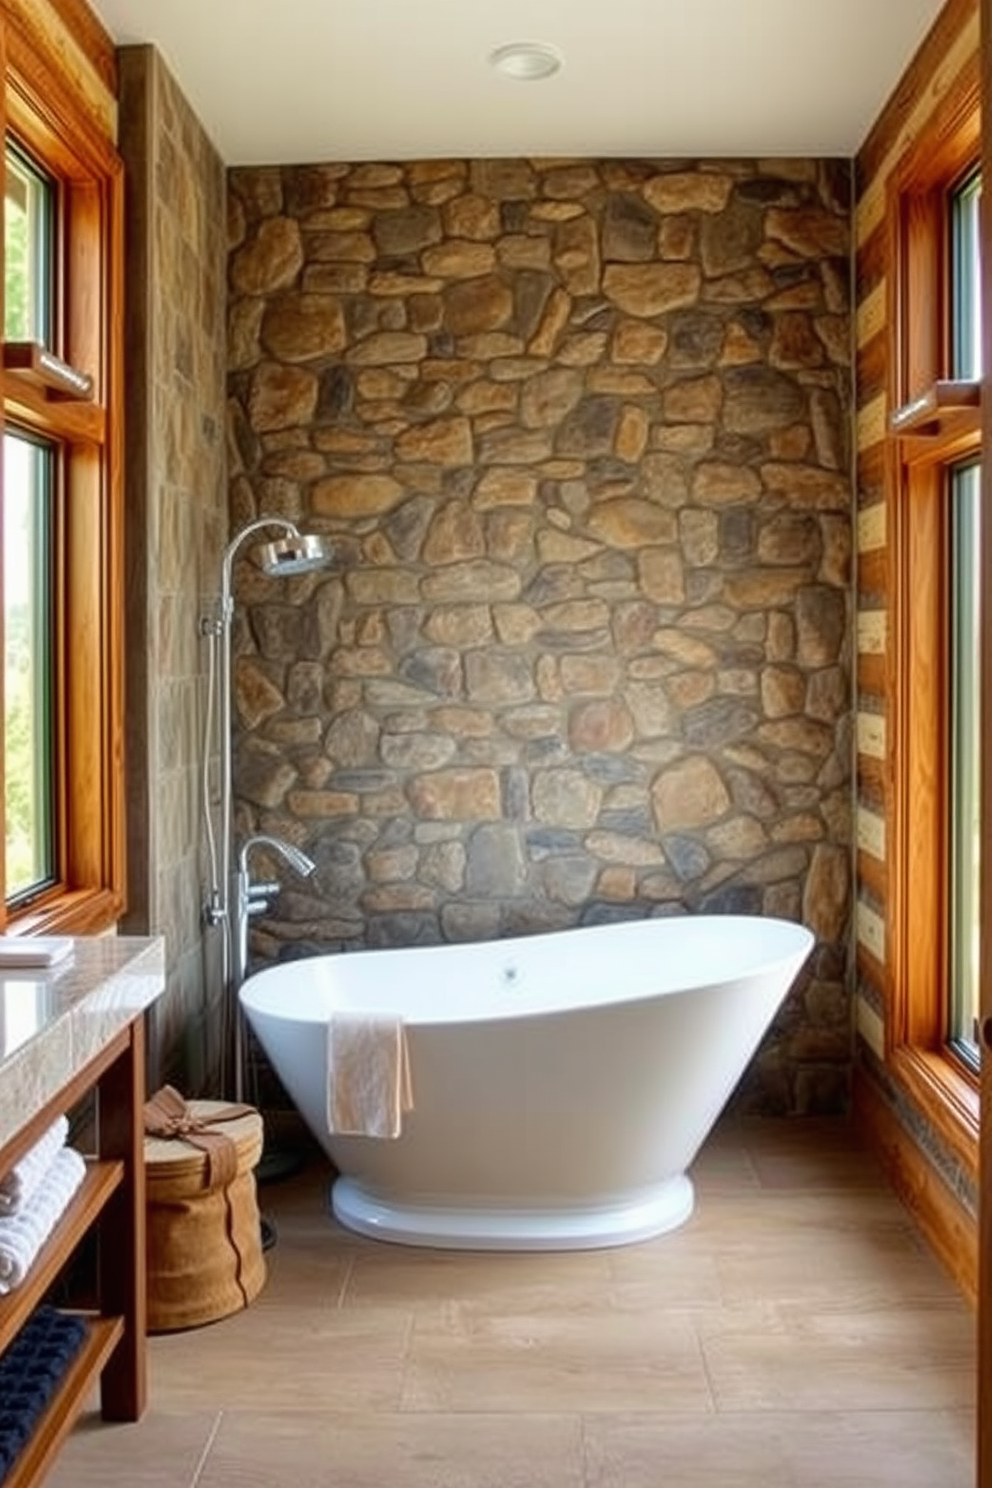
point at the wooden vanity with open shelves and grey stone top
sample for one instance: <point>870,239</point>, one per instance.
<point>65,1033</point>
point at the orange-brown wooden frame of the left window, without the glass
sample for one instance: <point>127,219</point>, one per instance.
<point>53,121</point>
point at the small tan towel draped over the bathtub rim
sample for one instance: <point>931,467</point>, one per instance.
<point>368,1075</point>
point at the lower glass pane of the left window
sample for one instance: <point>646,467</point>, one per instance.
<point>29,666</point>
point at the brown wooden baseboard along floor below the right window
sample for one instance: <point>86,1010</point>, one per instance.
<point>944,1221</point>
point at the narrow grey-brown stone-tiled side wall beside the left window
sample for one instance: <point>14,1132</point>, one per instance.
<point>176,526</point>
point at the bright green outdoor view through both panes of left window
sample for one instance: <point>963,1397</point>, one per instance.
<point>28,577</point>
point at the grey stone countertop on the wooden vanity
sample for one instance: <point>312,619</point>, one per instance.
<point>54,1022</point>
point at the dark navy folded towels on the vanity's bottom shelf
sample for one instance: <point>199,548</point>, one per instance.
<point>30,1373</point>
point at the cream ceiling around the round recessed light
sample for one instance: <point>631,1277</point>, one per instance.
<point>301,81</point>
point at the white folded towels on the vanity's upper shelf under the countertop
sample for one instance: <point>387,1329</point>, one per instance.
<point>33,1199</point>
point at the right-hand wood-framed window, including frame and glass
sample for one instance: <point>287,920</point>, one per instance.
<point>935,502</point>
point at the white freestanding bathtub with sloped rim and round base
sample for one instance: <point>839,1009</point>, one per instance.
<point>563,1084</point>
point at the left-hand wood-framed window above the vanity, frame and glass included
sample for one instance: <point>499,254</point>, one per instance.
<point>60,519</point>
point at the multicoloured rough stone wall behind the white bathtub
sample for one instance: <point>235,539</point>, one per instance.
<point>579,434</point>
